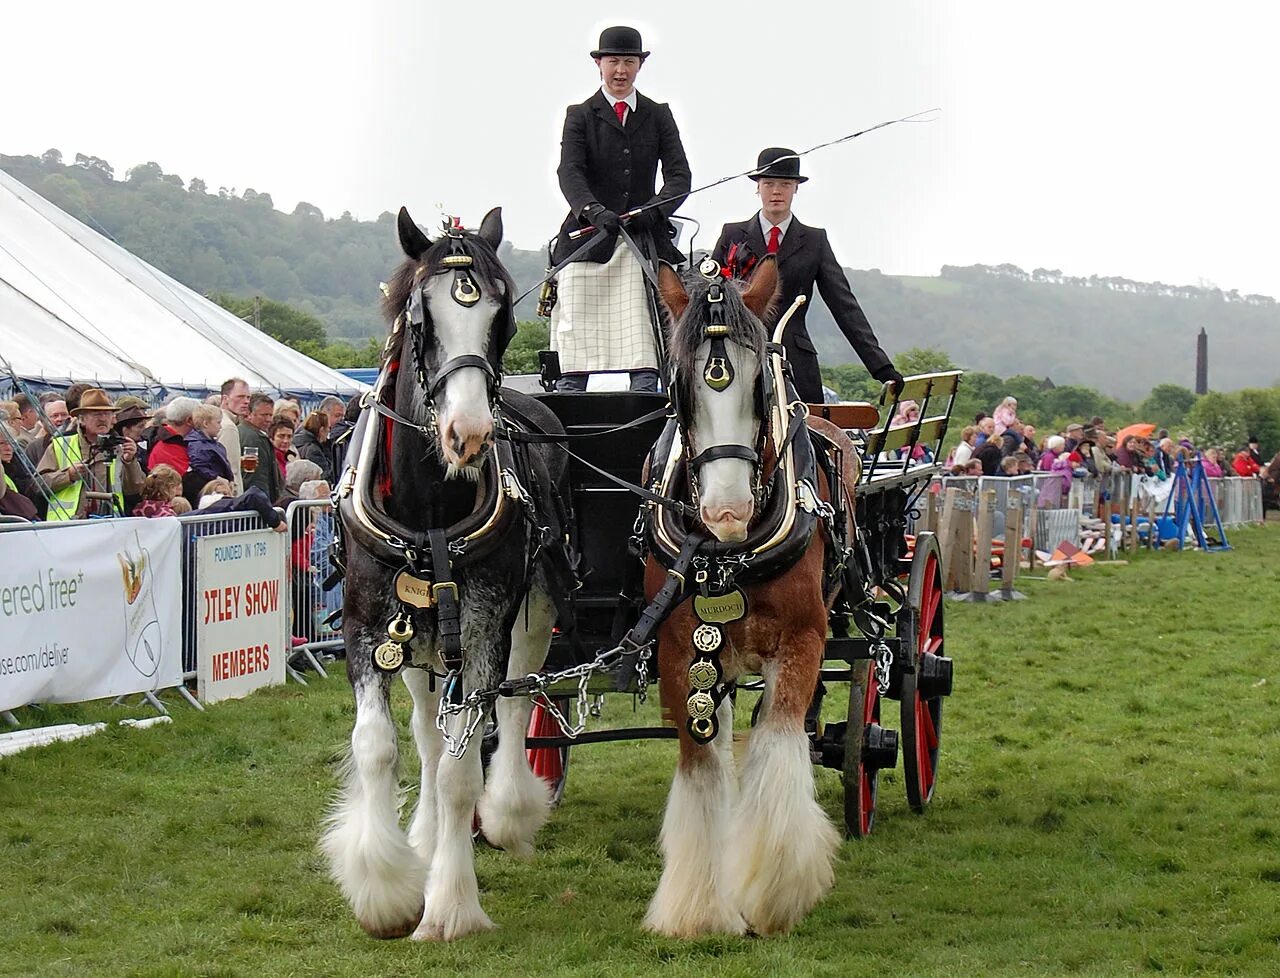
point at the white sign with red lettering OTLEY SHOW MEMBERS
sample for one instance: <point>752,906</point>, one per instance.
<point>241,623</point>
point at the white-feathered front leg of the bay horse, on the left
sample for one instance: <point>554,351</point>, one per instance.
<point>694,895</point>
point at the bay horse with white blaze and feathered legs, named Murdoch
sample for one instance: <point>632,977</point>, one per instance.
<point>755,853</point>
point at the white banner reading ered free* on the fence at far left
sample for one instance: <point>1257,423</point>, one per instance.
<point>90,610</point>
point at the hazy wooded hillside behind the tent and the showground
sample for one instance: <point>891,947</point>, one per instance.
<point>1117,336</point>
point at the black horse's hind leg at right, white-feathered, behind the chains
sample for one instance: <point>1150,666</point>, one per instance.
<point>516,802</point>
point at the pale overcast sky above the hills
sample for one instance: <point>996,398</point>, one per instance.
<point>1117,139</point>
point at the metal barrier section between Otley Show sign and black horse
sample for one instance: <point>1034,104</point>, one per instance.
<point>314,613</point>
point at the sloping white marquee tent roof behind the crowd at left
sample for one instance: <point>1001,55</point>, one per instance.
<point>77,307</point>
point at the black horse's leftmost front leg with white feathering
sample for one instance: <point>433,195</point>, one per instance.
<point>369,856</point>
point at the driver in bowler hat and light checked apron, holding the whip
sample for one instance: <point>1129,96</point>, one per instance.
<point>610,156</point>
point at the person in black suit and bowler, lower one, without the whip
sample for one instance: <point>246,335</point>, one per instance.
<point>804,259</point>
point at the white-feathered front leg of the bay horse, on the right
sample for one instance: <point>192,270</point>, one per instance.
<point>784,843</point>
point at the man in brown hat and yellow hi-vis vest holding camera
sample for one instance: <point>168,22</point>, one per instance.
<point>90,469</point>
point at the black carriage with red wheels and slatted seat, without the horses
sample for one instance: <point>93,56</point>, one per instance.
<point>893,650</point>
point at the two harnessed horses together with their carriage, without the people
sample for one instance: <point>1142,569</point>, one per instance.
<point>717,537</point>
